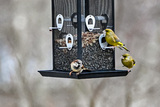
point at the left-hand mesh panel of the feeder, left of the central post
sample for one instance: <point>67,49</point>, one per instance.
<point>63,57</point>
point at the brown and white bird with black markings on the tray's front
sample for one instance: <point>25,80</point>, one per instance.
<point>77,66</point>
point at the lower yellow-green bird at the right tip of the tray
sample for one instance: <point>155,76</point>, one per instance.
<point>128,61</point>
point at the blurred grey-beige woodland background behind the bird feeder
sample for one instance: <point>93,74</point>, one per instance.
<point>25,47</point>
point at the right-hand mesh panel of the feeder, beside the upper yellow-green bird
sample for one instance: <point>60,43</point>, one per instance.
<point>94,57</point>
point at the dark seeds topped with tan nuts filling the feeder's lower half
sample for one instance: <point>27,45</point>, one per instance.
<point>93,57</point>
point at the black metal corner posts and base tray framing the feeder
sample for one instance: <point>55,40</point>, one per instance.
<point>84,74</point>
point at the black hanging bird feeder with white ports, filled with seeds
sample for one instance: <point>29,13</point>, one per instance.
<point>77,33</point>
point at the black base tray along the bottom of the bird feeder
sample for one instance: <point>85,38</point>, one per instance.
<point>84,74</point>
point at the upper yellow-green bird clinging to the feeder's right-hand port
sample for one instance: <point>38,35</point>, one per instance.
<point>113,40</point>
